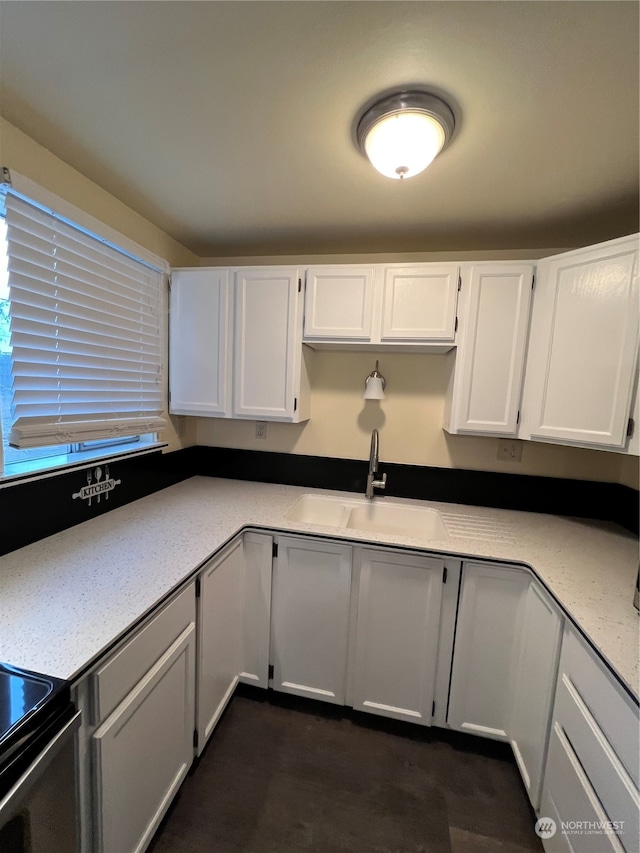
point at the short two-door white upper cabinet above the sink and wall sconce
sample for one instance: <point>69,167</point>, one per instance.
<point>401,306</point>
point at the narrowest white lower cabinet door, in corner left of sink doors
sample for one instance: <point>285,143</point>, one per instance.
<point>255,598</point>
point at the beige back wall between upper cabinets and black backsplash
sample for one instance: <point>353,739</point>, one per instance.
<point>409,421</point>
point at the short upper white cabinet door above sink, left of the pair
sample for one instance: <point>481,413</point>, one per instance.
<point>339,303</point>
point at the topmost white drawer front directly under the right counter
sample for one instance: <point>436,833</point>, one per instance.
<point>613,710</point>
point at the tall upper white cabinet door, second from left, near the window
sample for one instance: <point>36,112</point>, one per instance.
<point>268,344</point>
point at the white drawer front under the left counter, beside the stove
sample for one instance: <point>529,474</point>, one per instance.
<point>124,669</point>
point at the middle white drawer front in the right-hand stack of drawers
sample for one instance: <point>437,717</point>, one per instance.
<point>613,785</point>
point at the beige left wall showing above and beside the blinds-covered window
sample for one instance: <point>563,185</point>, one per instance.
<point>20,153</point>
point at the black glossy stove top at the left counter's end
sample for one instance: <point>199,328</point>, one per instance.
<point>32,708</point>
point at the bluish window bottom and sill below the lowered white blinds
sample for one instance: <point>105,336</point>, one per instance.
<point>38,469</point>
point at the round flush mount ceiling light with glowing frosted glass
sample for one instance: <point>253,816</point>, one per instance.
<point>402,133</point>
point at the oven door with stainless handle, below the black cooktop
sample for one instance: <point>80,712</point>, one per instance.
<point>38,814</point>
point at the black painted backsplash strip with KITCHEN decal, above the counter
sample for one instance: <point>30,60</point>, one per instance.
<point>38,508</point>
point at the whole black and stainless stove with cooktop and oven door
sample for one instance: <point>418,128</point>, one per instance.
<point>37,764</point>
